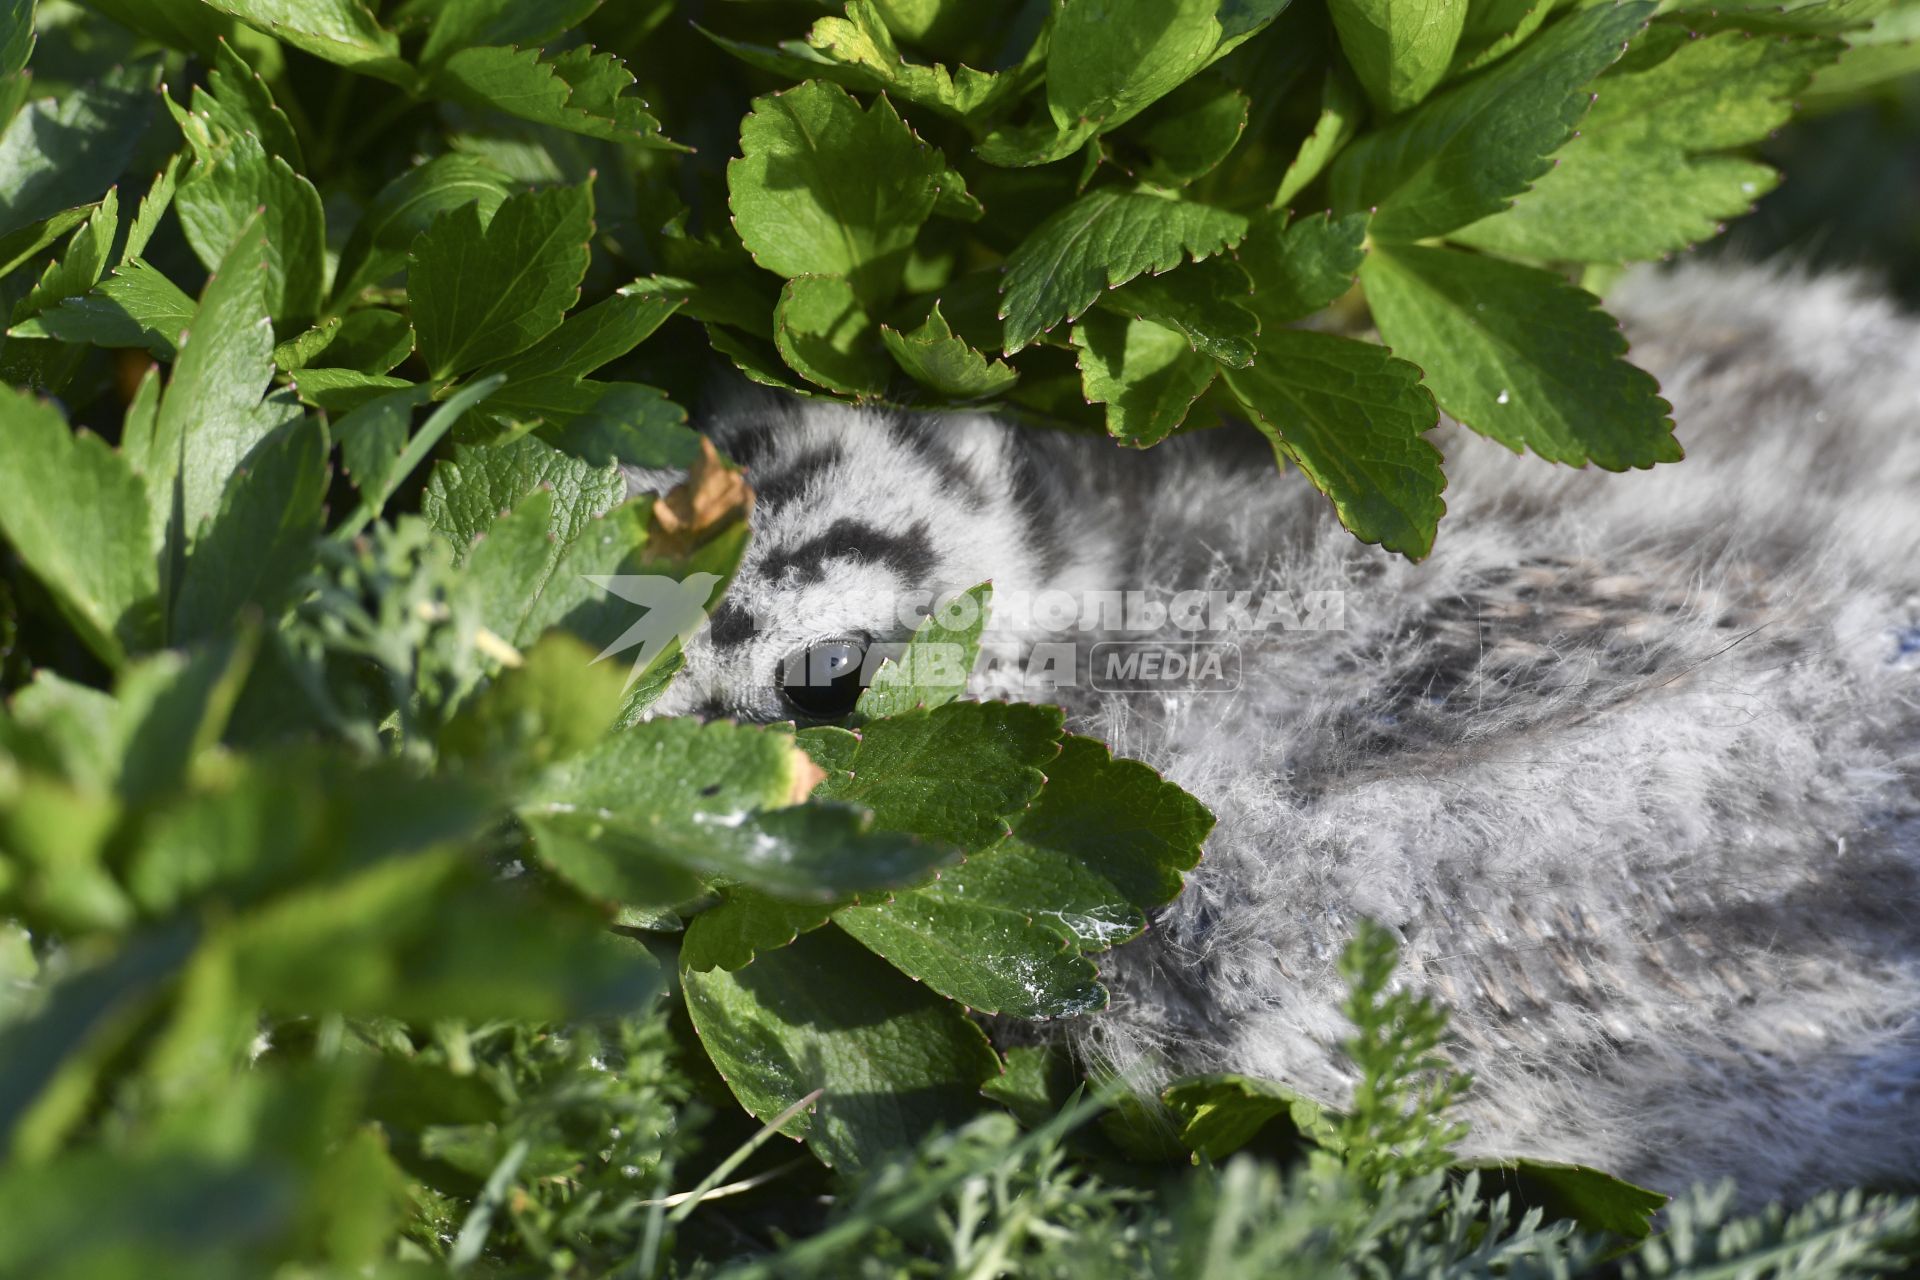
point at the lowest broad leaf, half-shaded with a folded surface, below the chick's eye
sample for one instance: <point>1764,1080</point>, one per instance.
<point>894,1060</point>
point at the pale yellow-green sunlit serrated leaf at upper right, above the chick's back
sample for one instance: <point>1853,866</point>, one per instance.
<point>1650,133</point>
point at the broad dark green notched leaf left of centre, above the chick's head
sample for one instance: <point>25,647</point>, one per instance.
<point>489,291</point>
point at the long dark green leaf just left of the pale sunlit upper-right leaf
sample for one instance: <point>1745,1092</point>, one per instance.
<point>1470,151</point>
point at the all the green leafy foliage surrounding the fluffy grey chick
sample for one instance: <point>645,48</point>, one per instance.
<point>352,916</point>
